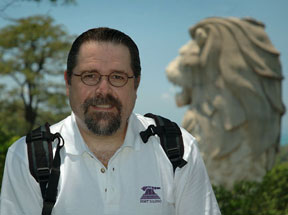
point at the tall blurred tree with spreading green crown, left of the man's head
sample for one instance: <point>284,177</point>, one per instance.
<point>32,54</point>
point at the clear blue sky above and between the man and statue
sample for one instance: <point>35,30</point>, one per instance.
<point>160,28</point>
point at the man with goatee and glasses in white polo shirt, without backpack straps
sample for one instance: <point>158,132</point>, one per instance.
<point>105,166</point>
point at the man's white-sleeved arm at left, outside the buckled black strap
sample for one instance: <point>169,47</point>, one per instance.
<point>20,192</point>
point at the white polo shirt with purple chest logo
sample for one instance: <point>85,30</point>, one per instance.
<point>139,179</point>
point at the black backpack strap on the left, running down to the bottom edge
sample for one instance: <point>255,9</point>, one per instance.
<point>43,167</point>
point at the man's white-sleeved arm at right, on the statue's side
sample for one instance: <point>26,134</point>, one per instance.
<point>194,194</point>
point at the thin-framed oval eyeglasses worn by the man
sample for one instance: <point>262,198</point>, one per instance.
<point>116,79</point>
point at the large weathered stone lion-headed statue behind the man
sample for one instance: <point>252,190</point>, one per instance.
<point>230,75</point>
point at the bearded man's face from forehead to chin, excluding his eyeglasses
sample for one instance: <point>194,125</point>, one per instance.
<point>102,109</point>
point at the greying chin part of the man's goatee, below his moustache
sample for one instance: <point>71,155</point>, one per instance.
<point>111,123</point>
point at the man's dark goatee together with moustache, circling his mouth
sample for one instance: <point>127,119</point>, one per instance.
<point>102,123</point>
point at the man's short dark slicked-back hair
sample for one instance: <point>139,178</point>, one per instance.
<point>104,34</point>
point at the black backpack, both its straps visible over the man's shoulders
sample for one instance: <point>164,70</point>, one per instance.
<point>46,169</point>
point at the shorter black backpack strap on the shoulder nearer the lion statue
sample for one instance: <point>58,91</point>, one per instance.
<point>170,138</point>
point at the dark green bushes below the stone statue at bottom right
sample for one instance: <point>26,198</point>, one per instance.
<point>269,197</point>
